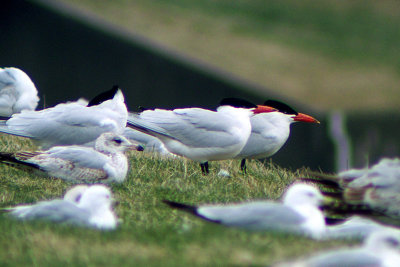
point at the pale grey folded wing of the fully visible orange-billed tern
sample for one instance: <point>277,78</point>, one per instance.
<point>194,127</point>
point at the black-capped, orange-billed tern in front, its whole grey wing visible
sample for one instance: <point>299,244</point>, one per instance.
<point>199,134</point>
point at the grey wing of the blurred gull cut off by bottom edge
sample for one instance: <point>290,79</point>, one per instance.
<point>346,258</point>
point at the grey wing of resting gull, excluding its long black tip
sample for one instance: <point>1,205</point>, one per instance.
<point>255,216</point>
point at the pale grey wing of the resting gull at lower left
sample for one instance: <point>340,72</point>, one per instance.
<point>55,211</point>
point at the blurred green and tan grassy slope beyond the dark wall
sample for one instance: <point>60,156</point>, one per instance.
<point>322,53</point>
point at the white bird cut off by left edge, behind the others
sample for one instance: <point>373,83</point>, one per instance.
<point>17,92</point>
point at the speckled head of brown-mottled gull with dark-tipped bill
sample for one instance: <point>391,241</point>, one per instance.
<point>112,143</point>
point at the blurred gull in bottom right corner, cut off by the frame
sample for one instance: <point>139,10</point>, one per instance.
<point>381,249</point>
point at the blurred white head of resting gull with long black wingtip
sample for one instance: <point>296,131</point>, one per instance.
<point>303,194</point>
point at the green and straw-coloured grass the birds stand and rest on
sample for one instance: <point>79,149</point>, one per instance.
<point>151,234</point>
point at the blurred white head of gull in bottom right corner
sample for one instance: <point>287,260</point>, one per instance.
<point>385,240</point>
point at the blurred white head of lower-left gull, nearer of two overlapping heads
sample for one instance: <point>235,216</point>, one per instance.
<point>96,197</point>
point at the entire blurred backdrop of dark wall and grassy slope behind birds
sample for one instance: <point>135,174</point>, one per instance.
<point>338,61</point>
